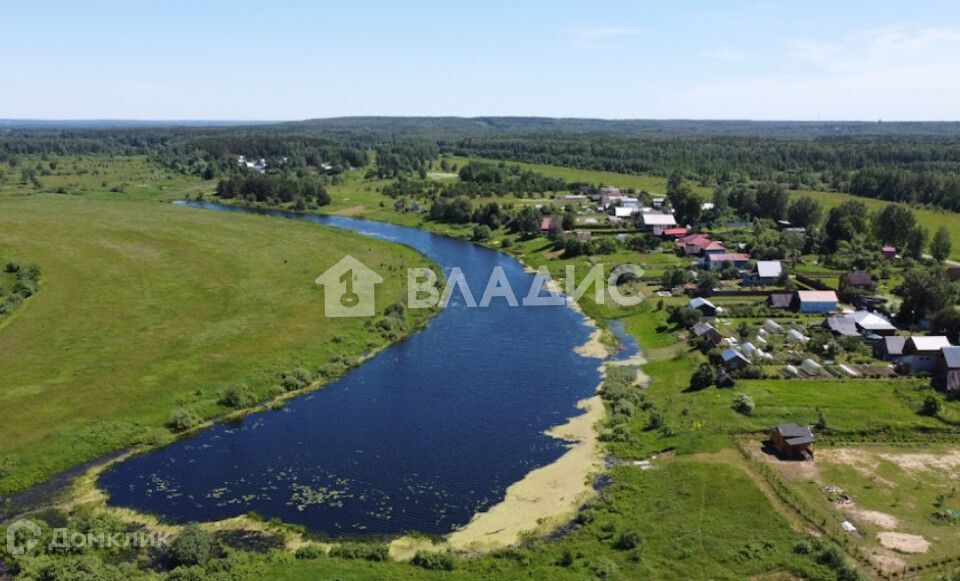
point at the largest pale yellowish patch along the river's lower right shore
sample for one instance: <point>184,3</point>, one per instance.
<point>547,497</point>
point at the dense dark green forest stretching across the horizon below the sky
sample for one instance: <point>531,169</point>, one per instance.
<point>914,163</point>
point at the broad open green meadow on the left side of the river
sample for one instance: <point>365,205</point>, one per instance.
<point>146,307</point>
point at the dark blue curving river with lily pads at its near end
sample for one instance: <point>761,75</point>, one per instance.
<point>419,438</point>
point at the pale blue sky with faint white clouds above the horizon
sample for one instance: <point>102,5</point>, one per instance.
<point>286,60</point>
